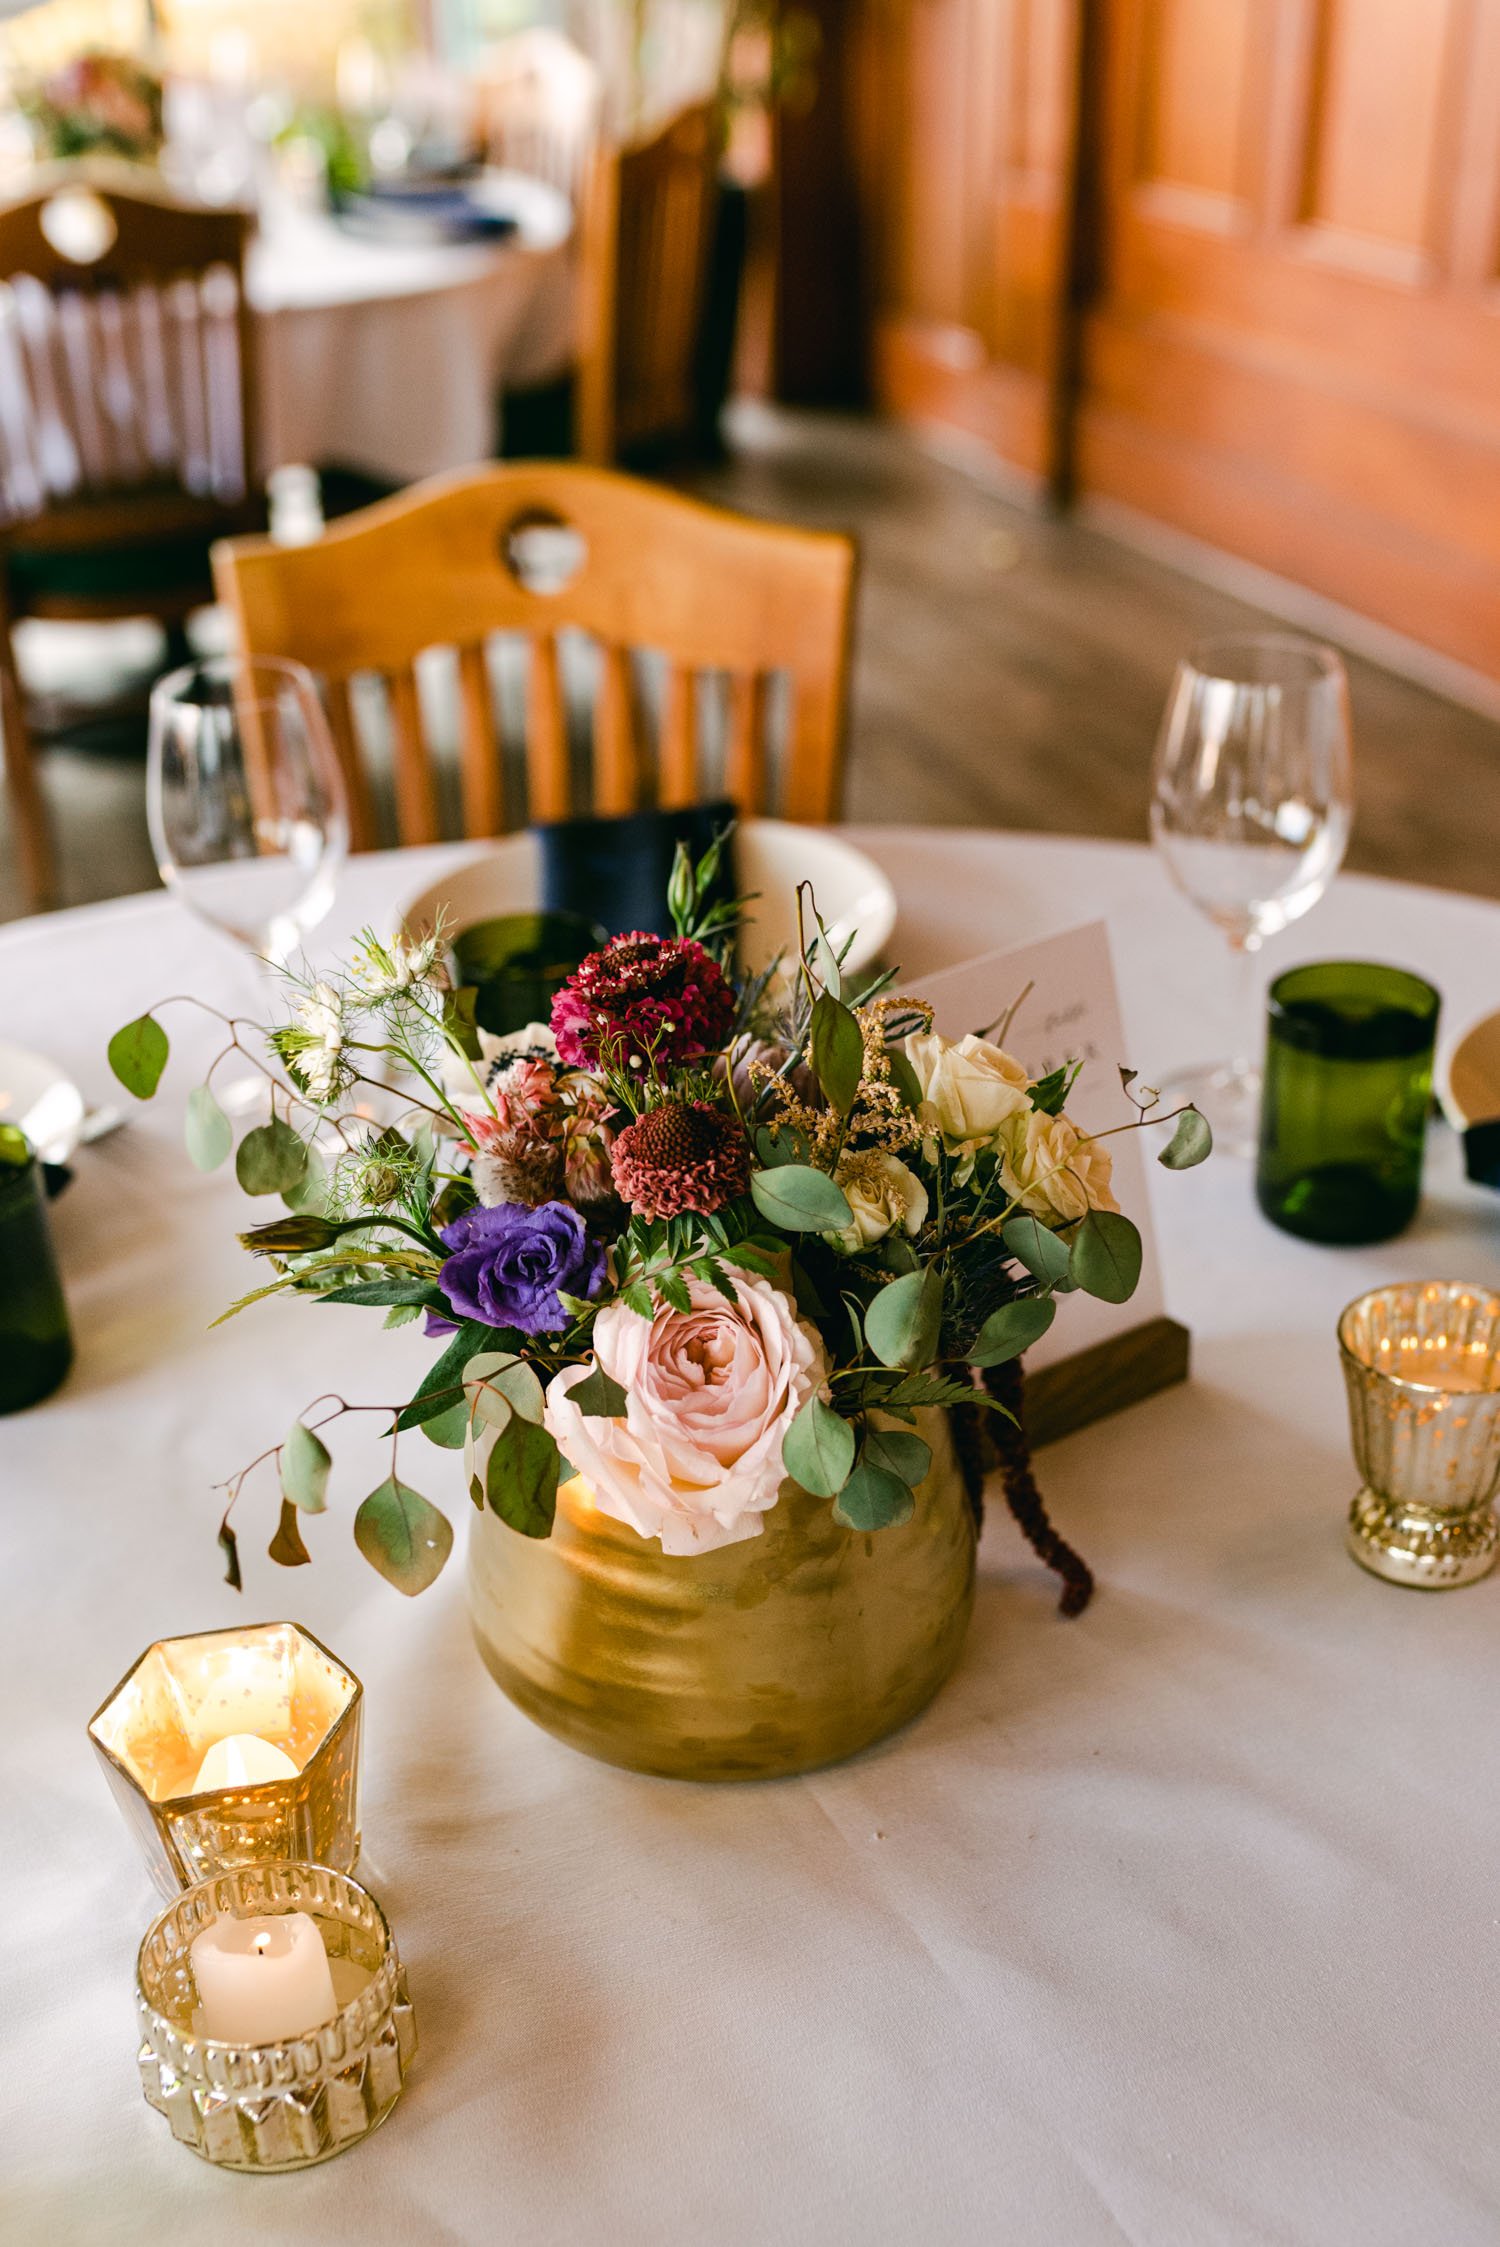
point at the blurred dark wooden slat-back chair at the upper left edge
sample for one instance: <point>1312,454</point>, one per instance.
<point>127,392</point>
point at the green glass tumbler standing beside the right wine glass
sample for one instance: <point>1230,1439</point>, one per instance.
<point>1346,1100</point>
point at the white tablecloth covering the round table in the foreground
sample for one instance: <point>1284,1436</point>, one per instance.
<point>1173,1925</point>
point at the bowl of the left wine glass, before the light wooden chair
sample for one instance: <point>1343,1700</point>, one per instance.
<point>246,799</point>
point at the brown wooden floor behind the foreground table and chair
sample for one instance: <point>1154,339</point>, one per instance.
<point>1009,673</point>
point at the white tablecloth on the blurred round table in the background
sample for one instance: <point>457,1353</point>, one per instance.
<point>390,356</point>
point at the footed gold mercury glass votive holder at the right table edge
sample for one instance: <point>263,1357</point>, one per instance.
<point>1423,1367</point>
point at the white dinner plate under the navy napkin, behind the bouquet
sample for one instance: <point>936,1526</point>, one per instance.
<point>774,857</point>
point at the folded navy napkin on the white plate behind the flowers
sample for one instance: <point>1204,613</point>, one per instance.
<point>616,871</point>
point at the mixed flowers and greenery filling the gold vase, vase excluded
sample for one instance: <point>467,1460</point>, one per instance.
<point>695,1237</point>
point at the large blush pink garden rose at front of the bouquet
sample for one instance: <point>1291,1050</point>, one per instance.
<point>711,1394</point>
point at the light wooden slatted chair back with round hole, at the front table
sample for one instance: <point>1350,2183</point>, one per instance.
<point>448,565</point>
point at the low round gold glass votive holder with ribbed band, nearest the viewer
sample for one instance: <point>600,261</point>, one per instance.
<point>309,2098</point>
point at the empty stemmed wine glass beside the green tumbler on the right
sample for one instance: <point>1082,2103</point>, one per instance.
<point>1252,810</point>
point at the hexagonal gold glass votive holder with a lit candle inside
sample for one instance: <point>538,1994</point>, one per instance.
<point>185,1695</point>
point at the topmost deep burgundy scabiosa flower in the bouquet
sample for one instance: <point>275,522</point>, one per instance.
<point>643,1003</point>
